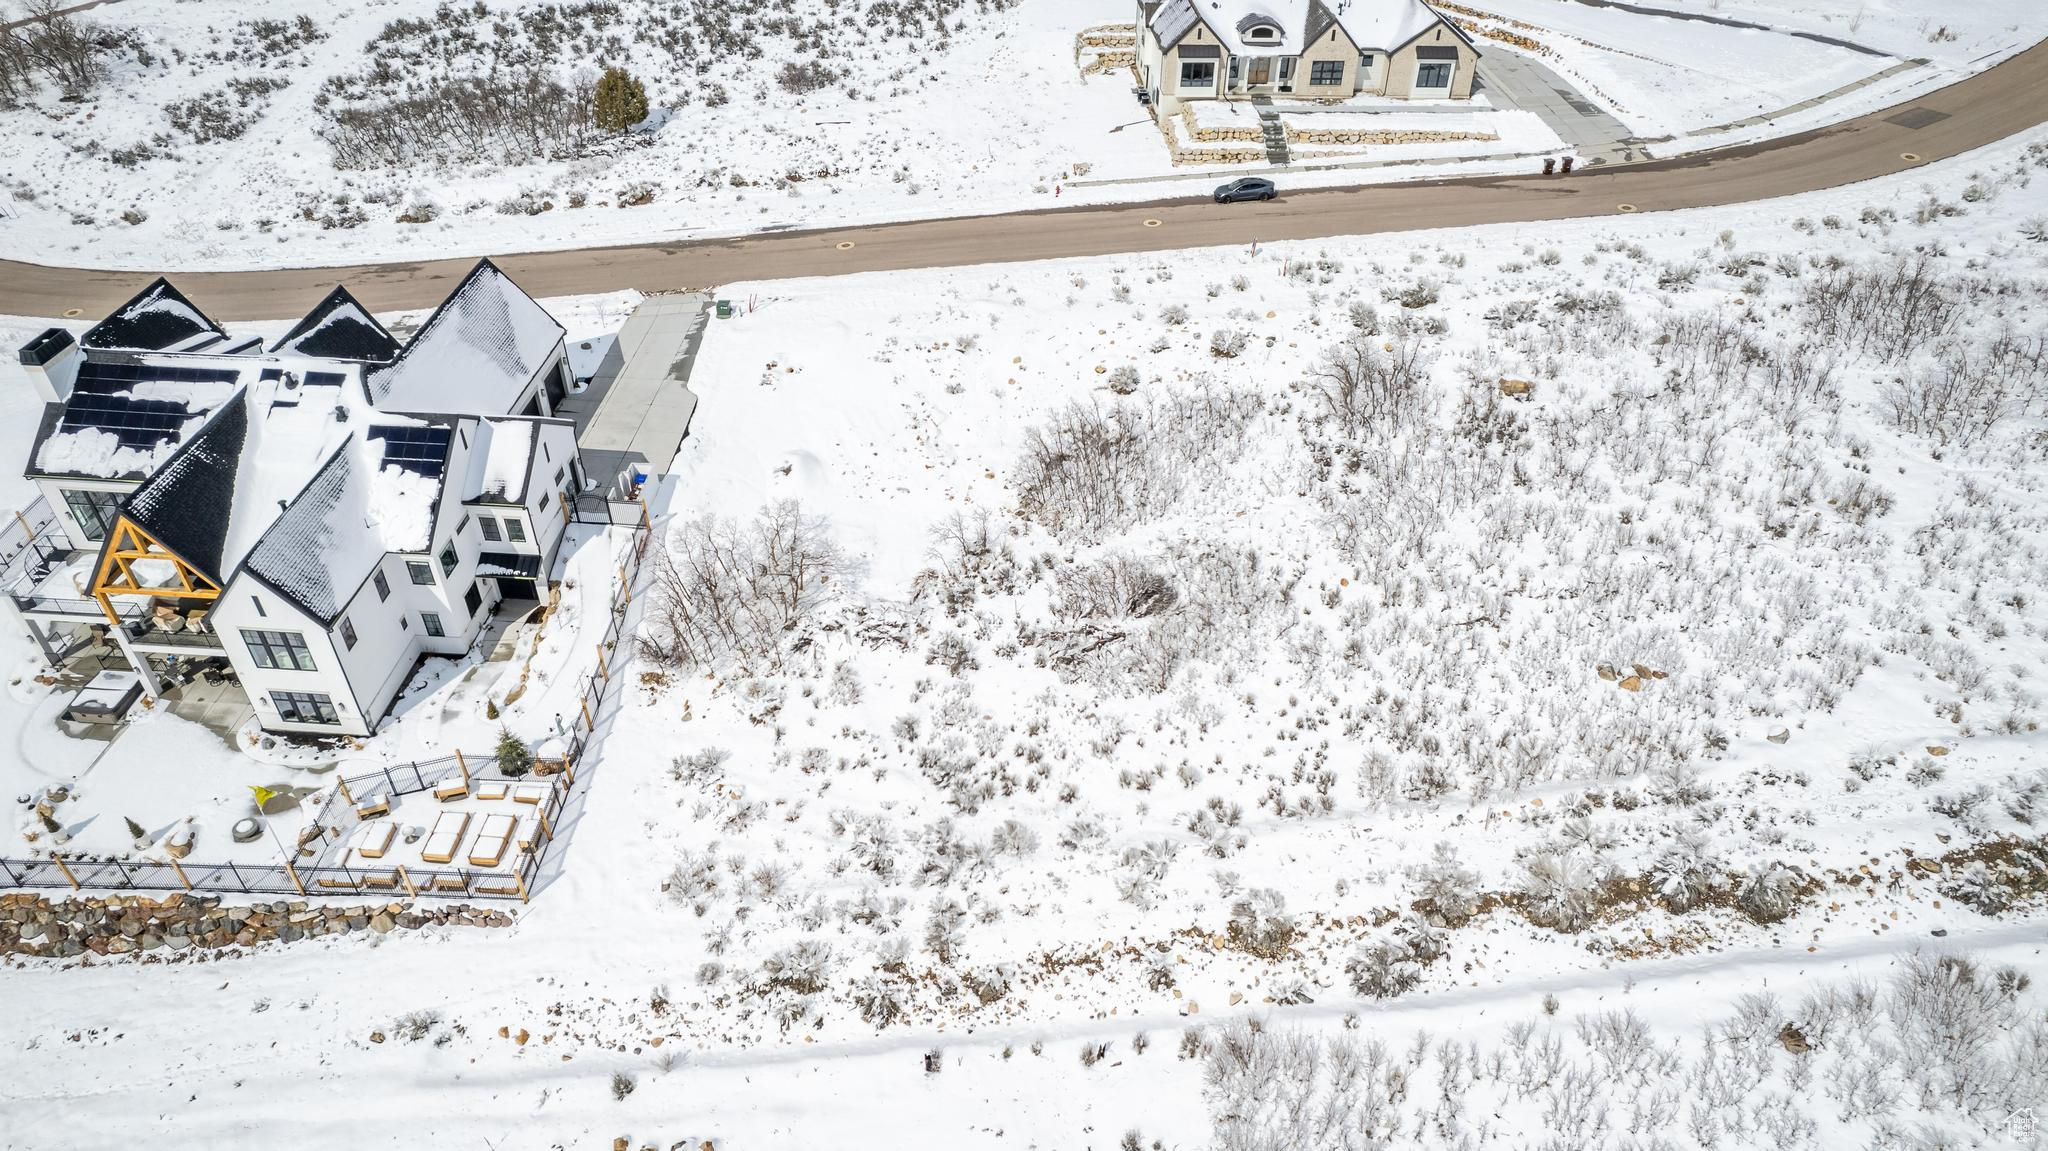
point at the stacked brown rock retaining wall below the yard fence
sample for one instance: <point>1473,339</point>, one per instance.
<point>134,925</point>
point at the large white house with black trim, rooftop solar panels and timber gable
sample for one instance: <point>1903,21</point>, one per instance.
<point>318,515</point>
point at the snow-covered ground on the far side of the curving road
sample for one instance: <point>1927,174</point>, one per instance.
<point>206,151</point>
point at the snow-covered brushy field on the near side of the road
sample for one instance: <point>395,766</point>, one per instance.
<point>1179,609</point>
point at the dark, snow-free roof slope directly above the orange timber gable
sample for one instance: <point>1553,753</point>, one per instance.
<point>189,501</point>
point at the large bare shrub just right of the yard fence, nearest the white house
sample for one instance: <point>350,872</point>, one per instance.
<point>732,593</point>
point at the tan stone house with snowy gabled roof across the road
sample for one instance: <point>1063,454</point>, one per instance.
<point>1224,50</point>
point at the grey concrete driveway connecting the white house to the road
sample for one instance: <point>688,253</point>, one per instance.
<point>640,402</point>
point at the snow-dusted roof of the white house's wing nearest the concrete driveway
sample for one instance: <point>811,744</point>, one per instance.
<point>474,355</point>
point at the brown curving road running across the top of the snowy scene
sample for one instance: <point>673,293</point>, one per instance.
<point>1961,118</point>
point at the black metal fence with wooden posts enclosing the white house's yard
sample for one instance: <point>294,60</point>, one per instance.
<point>337,818</point>
